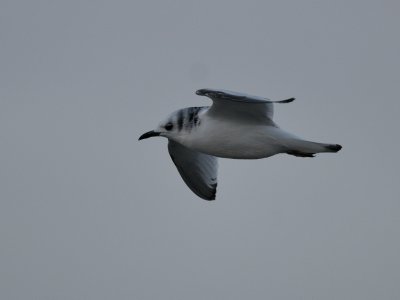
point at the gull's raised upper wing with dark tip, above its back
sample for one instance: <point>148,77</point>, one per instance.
<point>240,105</point>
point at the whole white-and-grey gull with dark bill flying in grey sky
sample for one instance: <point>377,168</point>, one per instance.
<point>236,125</point>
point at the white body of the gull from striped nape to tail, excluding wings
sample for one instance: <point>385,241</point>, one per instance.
<point>230,137</point>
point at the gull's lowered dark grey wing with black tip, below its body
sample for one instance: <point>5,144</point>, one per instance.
<point>198,170</point>
